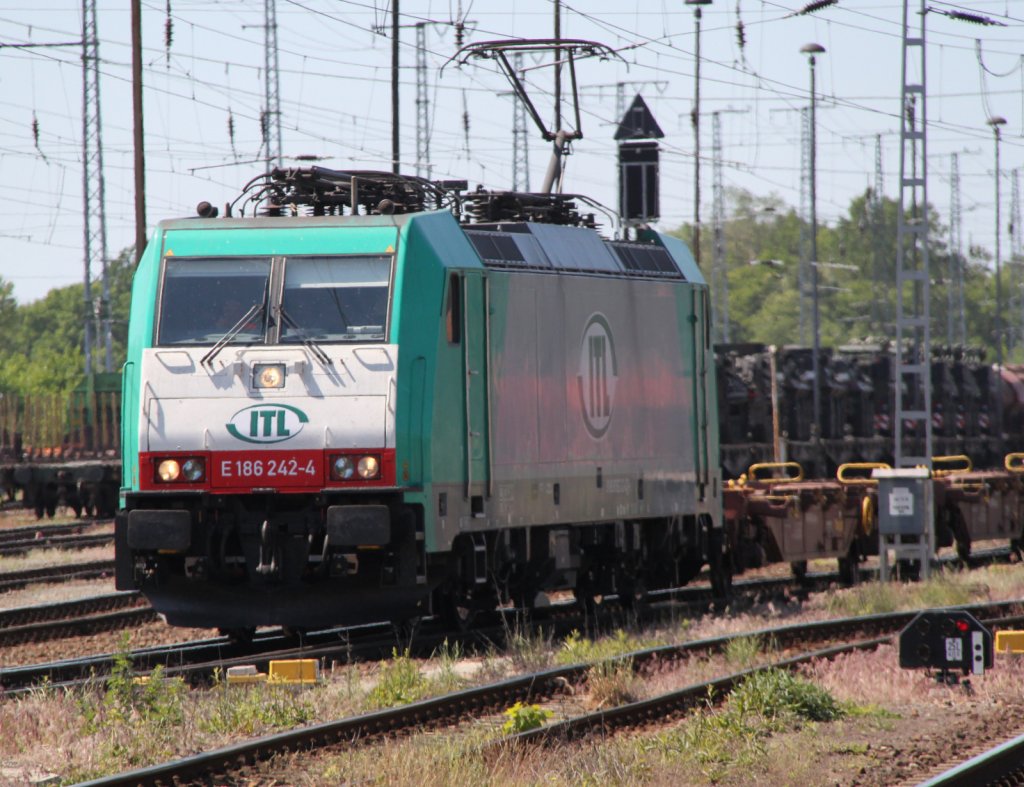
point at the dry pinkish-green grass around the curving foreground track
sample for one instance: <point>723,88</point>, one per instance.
<point>78,735</point>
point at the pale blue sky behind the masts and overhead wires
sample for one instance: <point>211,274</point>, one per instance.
<point>203,95</point>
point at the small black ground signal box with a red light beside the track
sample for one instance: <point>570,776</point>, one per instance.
<point>947,640</point>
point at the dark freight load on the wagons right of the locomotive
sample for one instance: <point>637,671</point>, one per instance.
<point>976,411</point>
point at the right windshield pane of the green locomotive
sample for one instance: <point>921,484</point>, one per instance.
<point>335,299</point>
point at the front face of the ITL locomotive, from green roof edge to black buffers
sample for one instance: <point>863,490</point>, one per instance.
<point>262,458</point>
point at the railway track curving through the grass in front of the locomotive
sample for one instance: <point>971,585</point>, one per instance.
<point>819,640</point>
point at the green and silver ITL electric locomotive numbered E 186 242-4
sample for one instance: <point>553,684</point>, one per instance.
<point>411,400</point>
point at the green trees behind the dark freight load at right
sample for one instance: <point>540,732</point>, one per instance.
<point>857,253</point>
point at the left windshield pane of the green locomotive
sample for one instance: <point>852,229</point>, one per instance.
<point>204,299</point>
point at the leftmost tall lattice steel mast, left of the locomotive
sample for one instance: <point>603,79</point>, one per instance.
<point>94,197</point>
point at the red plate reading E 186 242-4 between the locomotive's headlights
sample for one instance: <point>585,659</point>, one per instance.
<point>267,469</point>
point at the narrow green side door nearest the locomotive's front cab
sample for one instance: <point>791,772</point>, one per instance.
<point>477,397</point>
